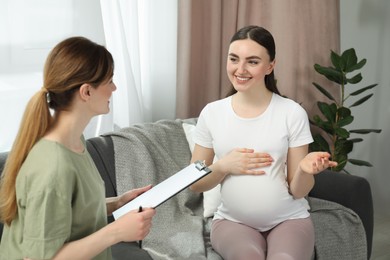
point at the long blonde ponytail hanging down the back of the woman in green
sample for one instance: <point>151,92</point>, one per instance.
<point>35,123</point>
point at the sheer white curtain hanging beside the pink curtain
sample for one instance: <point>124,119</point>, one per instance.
<point>131,28</point>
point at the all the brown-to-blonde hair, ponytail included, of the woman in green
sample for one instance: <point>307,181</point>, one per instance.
<point>70,64</point>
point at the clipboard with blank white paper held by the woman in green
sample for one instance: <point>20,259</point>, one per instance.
<point>166,189</point>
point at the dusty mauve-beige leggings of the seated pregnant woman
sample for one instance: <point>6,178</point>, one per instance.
<point>291,239</point>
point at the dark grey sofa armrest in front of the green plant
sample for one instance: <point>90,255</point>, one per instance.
<point>351,191</point>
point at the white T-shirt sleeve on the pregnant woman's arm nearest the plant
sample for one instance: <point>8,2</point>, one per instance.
<point>299,127</point>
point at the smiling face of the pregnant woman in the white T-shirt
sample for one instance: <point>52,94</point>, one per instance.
<point>247,65</point>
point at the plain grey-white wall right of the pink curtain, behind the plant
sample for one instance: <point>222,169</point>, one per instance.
<point>365,26</point>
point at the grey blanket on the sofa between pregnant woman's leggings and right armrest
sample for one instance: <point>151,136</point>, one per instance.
<point>339,231</point>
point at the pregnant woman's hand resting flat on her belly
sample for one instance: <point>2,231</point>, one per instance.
<point>245,161</point>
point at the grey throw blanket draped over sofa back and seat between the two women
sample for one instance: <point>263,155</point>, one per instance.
<point>148,154</point>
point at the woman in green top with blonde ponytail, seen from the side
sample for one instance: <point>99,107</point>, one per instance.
<point>52,198</point>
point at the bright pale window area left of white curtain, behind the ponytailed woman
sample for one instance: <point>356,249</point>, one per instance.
<point>28,31</point>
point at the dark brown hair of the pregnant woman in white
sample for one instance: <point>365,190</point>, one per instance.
<point>265,39</point>
